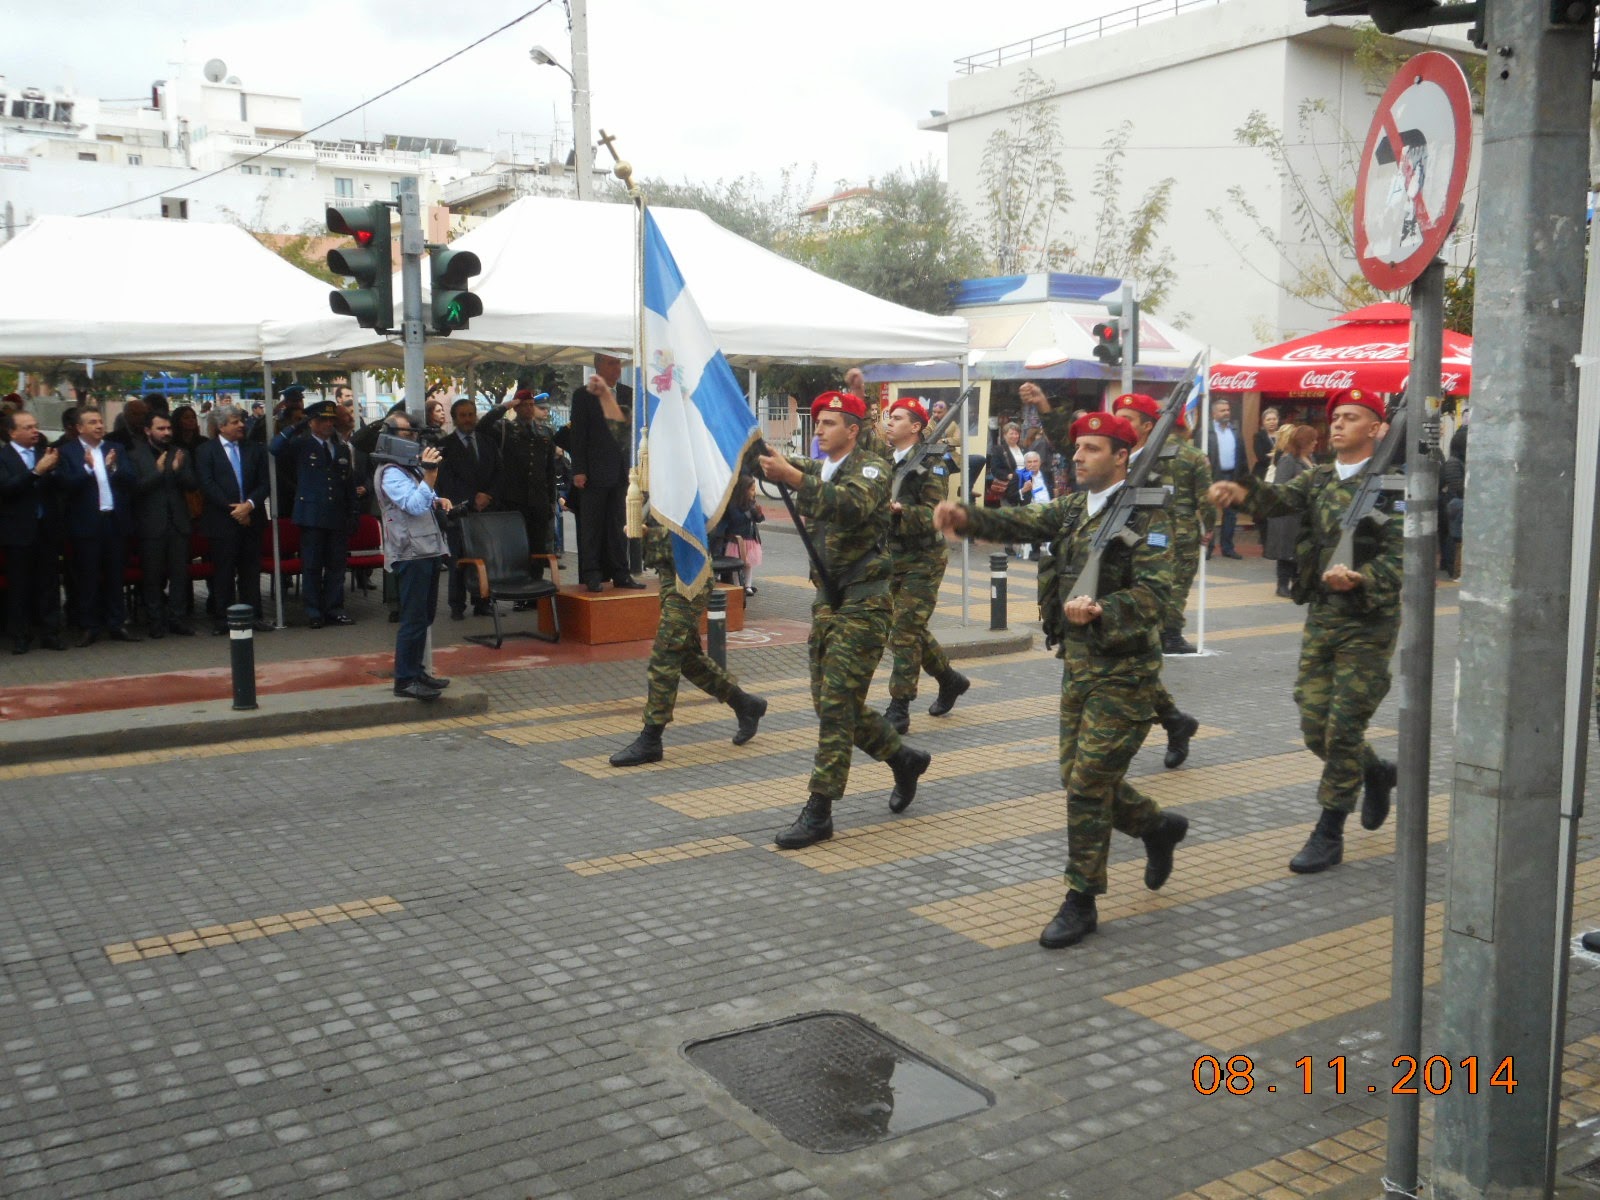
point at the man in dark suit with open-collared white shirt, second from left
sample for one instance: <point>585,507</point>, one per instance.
<point>97,487</point>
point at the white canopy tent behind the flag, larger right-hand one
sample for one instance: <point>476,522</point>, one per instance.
<point>558,286</point>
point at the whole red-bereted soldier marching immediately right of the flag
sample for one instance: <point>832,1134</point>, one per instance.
<point>847,502</point>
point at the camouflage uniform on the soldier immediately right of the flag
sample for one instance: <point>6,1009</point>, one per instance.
<point>849,519</point>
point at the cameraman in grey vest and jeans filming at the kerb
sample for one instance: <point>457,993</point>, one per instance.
<point>414,550</point>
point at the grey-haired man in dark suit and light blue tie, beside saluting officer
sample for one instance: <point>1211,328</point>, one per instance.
<point>234,486</point>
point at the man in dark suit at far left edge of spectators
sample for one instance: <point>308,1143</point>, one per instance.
<point>31,535</point>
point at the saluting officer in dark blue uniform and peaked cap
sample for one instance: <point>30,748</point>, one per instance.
<point>326,506</point>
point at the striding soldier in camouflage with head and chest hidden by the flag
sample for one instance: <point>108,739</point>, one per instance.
<point>678,654</point>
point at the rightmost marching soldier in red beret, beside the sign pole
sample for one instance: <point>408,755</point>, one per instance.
<point>1351,625</point>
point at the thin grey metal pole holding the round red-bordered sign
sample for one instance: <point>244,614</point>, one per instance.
<point>1417,718</point>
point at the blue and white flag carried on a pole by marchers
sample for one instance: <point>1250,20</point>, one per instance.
<point>700,423</point>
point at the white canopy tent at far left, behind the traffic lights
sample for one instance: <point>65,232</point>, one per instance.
<point>135,295</point>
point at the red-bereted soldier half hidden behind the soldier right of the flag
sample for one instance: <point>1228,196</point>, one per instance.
<point>919,569</point>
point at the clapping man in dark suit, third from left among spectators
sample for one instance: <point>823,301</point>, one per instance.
<point>161,521</point>
